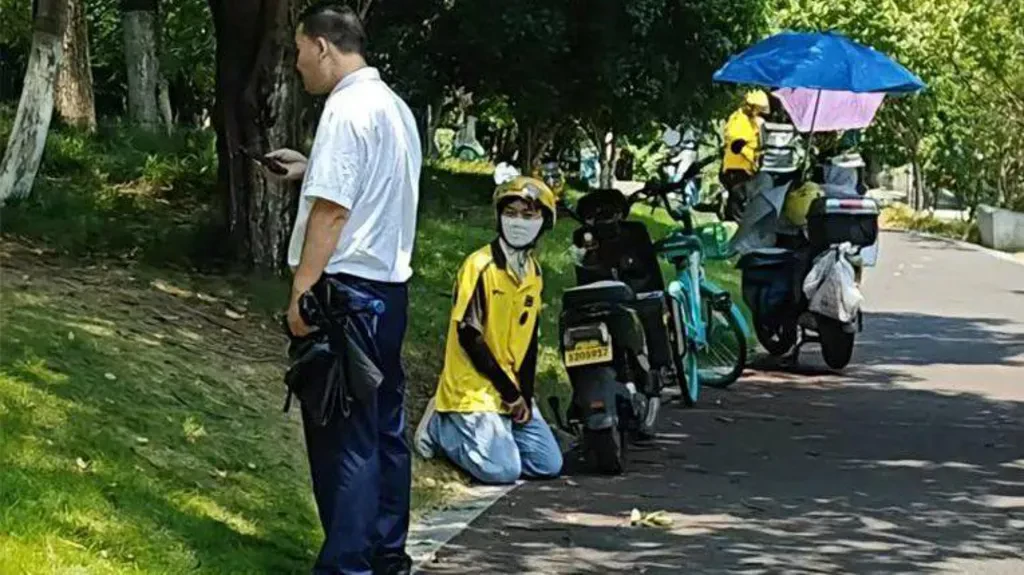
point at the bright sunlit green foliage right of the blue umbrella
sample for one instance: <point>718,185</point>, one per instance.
<point>966,130</point>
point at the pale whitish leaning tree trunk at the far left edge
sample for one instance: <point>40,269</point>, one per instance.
<point>32,122</point>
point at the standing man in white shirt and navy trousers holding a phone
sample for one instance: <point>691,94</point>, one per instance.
<point>357,224</point>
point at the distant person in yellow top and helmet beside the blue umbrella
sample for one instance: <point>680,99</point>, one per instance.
<point>743,146</point>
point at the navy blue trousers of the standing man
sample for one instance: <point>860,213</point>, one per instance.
<point>361,465</point>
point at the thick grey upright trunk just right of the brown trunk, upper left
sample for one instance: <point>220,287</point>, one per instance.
<point>141,58</point>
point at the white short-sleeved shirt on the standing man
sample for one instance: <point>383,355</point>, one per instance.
<point>367,159</point>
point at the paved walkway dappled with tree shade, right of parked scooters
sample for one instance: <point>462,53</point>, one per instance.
<point>910,462</point>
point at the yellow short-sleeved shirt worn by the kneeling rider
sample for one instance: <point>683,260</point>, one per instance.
<point>510,309</point>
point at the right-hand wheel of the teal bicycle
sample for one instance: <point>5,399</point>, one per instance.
<point>722,362</point>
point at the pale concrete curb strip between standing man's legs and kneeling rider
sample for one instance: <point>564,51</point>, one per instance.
<point>434,532</point>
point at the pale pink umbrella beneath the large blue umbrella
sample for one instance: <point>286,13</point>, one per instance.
<point>830,111</point>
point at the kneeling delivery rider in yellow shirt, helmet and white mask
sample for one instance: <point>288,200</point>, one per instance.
<point>484,417</point>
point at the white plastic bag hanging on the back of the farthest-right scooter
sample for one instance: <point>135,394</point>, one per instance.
<point>832,287</point>
